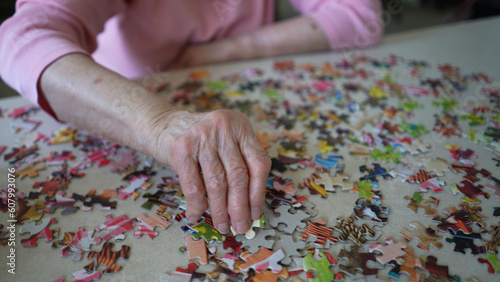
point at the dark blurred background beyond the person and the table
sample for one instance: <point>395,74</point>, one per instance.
<point>401,15</point>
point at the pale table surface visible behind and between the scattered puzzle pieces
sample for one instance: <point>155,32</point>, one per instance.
<point>472,46</point>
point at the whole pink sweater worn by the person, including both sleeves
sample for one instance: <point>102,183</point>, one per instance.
<point>137,37</point>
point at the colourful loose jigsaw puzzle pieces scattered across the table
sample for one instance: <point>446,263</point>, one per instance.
<point>303,106</point>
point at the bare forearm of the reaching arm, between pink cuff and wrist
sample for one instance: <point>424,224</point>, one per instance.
<point>90,97</point>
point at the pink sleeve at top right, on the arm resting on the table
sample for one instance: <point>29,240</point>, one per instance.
<point>347,23</point>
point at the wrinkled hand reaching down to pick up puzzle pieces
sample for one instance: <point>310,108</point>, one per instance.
<point>234,167</point>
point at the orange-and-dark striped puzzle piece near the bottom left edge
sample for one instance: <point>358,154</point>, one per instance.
<point>108,257</point>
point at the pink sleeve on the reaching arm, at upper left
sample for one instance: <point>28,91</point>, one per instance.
<point>41,31</point>
